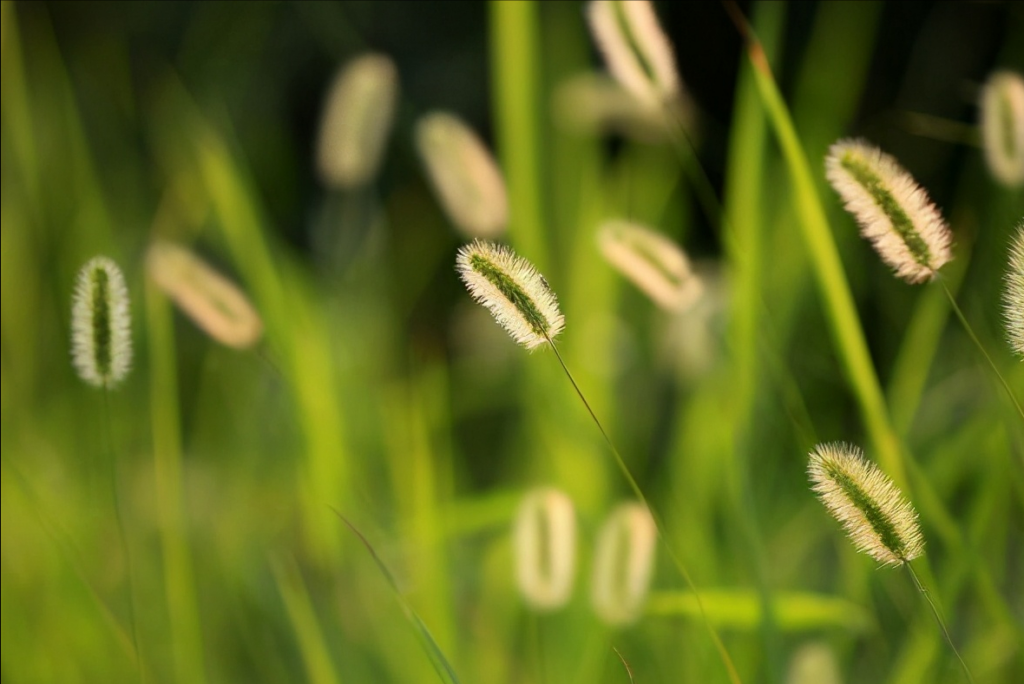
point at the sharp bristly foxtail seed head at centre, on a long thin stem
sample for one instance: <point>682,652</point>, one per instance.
<point>516,294</point>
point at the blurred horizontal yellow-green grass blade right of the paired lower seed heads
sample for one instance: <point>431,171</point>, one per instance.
<point>742,610</point>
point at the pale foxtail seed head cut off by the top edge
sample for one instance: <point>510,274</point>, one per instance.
<point>636,51</point>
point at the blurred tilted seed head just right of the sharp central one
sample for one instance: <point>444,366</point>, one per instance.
<point>653,263</point>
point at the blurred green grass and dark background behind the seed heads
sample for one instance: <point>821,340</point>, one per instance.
<point>385,393</point>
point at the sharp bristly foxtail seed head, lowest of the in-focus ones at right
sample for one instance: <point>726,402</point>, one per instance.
<point>880,522</point>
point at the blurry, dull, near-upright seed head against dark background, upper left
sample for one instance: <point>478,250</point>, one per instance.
<point>357,121</point>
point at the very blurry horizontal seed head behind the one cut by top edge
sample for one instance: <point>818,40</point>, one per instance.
<point>593,104</point>
